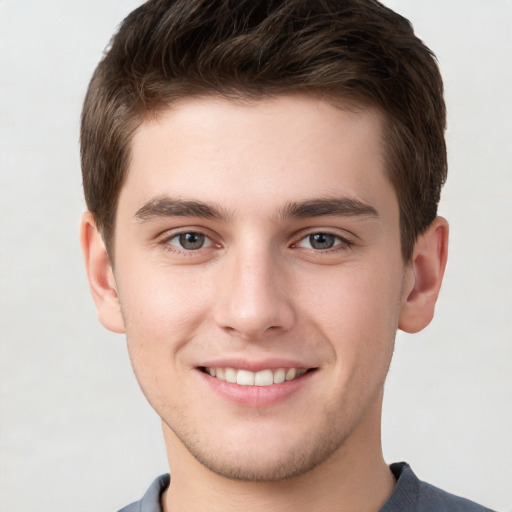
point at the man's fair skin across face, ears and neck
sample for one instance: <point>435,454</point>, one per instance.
<point>260,290</point>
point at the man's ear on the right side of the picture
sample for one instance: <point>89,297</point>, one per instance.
<point>423,277</point>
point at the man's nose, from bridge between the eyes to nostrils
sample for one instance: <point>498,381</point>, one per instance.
<point>253,299</point>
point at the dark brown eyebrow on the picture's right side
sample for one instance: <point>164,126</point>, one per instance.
<point>345,206</point>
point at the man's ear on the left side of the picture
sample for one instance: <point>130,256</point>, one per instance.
<point>100,275</point>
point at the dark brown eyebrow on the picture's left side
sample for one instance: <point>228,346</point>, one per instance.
<point>162,207</point>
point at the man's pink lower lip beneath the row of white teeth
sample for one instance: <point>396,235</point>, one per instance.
<point>256,396</point>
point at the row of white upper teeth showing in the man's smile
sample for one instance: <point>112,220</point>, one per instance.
<point>261,378</point>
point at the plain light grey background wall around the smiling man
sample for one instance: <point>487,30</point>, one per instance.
<point>76,433</point>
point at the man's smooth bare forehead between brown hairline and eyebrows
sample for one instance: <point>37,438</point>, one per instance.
<point>288,148</point>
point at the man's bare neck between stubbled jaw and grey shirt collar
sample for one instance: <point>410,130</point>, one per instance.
<point>355,477</point>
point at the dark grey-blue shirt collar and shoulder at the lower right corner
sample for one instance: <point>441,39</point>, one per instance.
<point>411,494</point>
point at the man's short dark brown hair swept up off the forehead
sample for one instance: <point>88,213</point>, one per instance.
<point>359,49</point>
